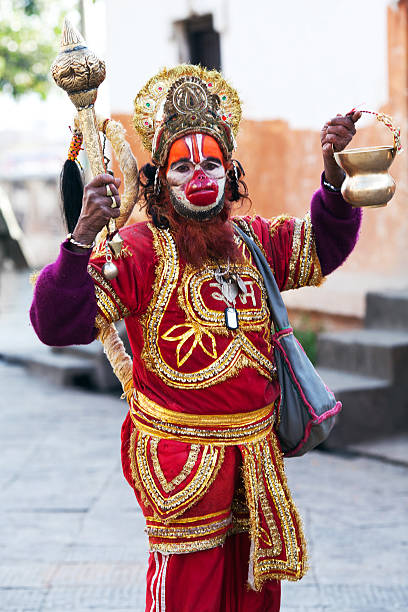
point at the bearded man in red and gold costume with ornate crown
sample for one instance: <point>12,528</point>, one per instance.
<point>199,446</point>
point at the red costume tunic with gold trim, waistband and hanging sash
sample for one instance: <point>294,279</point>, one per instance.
<point>204,396</point>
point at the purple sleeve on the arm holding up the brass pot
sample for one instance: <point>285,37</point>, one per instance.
<point>336,225</point>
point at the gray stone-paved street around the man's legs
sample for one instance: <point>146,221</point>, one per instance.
<point>71,535</point>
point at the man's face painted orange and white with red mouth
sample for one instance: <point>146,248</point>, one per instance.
<point>196,176</point>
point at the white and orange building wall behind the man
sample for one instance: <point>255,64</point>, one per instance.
<point>295,69</point>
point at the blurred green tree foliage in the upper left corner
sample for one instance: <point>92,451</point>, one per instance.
<point>29,41</point>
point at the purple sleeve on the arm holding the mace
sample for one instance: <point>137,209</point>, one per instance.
<point>64,305</point>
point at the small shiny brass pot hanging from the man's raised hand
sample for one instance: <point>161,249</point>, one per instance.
<point>367,181</point>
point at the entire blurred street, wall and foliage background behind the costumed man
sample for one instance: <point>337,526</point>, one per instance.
<point>295,64</point>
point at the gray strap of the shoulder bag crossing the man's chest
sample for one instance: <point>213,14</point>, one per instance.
<point>277,308</point>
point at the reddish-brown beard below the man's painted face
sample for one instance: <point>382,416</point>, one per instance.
<point>199,242</point>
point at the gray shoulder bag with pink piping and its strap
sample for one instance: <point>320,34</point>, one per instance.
<point>307,408</point>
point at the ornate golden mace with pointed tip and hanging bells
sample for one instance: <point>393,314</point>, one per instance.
<point>79,72</point>
